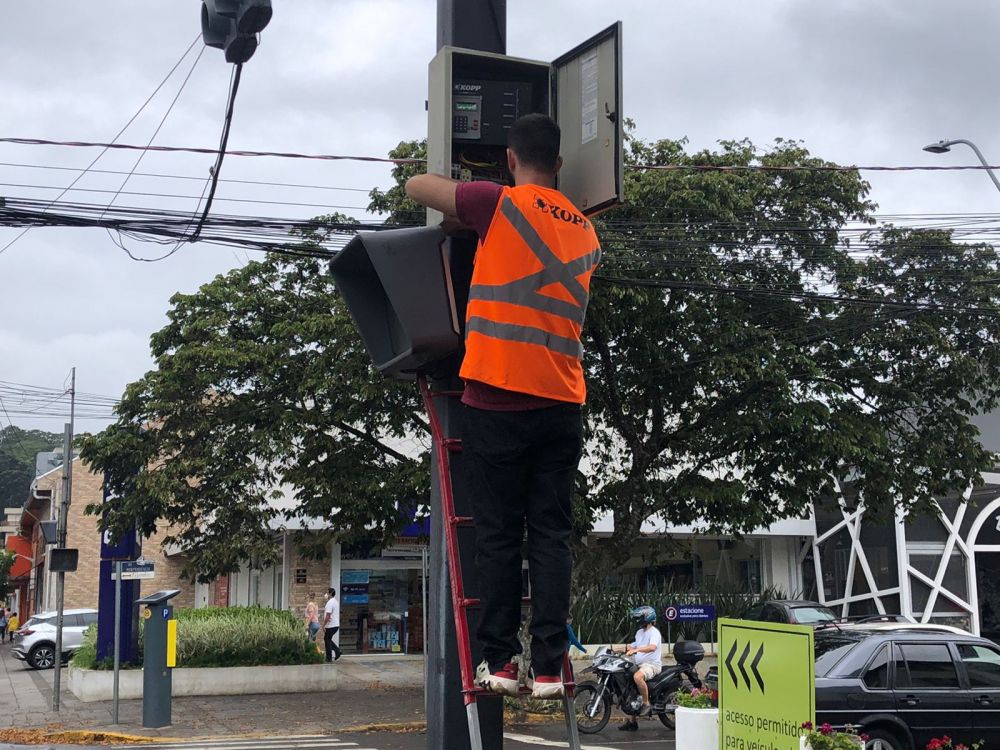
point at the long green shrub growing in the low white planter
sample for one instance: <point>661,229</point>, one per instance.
<point>226,637</point>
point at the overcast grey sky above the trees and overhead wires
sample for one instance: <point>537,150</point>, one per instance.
<point>858,81</point>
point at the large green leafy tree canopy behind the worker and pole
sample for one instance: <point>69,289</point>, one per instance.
<point>739,361</point>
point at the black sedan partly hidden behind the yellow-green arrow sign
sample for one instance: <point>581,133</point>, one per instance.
<point>905,686</point>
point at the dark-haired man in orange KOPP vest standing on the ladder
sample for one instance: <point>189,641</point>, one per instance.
<point>524,387</point>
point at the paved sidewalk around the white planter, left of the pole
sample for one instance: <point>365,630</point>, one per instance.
<point>26,702</point>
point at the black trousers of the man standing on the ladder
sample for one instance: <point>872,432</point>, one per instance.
<point>520,469</point>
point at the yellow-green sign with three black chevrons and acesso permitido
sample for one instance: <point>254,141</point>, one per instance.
<point>767,684</point>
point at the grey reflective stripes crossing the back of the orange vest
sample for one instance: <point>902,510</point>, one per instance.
<point>526,291</point>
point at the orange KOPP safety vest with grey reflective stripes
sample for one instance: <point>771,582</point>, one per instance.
<point>529,294</point>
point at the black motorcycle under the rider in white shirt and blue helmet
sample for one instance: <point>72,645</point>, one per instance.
<point>615,686</point>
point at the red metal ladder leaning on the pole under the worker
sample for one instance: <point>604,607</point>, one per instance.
<point>443,448</point>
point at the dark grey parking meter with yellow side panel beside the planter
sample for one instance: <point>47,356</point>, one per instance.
<point>159,656</point>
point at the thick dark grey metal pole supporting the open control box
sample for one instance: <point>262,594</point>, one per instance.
<point>481,25</point>
